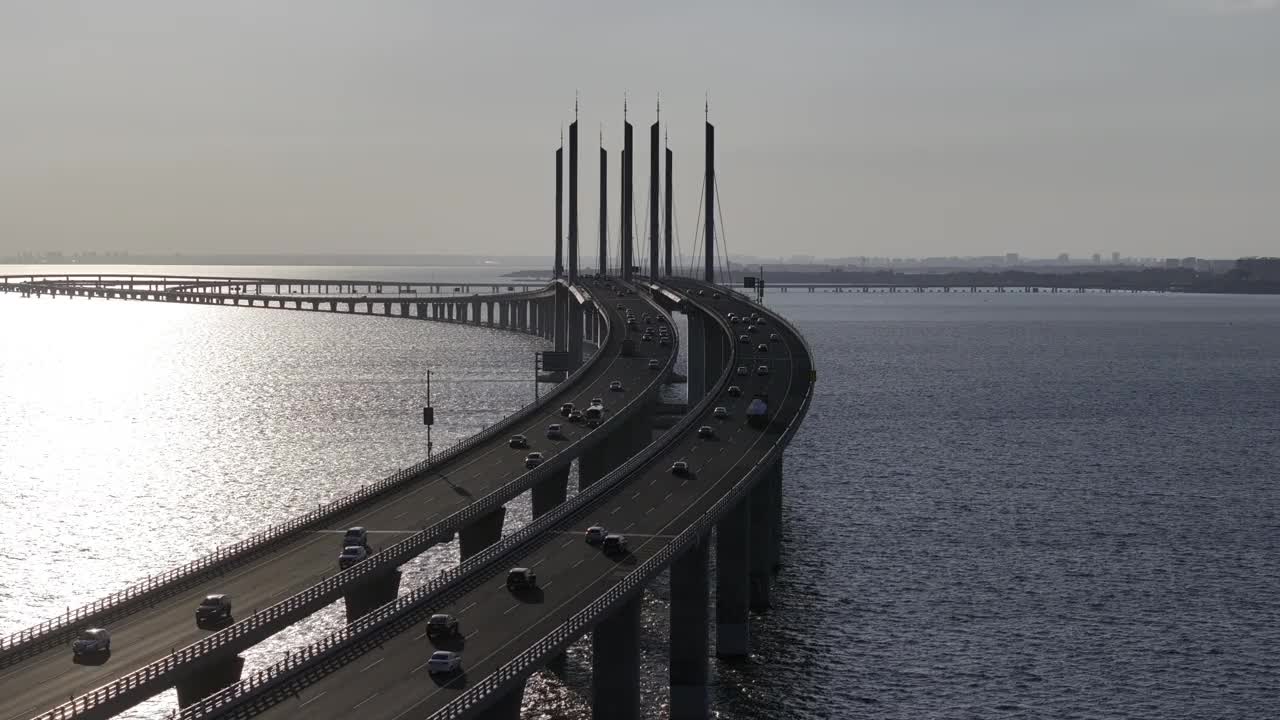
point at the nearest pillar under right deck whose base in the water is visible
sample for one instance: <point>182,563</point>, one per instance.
<point>733,557</point>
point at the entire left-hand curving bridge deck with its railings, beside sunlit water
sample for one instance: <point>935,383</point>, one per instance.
<point>40,678</point>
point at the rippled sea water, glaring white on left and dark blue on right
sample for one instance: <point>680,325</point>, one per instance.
<point>1000,507</point>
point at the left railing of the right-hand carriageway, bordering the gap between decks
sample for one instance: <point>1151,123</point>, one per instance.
<point>451,584</point>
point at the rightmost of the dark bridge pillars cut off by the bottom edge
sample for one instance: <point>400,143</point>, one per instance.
<point>689,618</point>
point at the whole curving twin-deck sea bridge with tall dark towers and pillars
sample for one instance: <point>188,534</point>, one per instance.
<point>730,499</point>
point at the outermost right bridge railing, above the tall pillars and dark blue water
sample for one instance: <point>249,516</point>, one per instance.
<point>518,671</point>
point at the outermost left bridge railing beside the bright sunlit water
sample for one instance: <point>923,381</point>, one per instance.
<point>56,628</point>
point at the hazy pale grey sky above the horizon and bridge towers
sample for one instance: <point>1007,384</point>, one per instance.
<point>844,129</point>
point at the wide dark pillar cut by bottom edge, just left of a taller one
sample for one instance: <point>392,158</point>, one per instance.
<point>616,664</point>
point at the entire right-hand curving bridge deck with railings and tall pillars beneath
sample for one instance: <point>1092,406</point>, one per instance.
<point>735,486</point>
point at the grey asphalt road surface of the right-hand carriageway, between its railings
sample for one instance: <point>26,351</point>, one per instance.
<point>651,509</point>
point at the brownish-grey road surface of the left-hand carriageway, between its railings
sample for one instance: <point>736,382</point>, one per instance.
<point>44,681</point>
